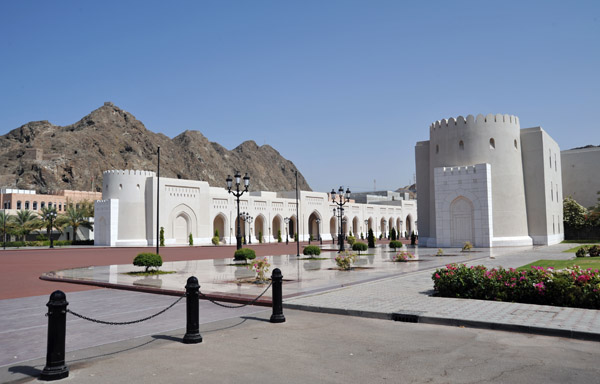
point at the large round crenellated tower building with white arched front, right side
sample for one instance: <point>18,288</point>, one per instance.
<point>487,181</point>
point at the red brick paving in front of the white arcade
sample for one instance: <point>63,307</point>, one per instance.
<point>21,268</point>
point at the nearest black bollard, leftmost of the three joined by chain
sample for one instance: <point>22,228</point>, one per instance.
<point>56,368</point>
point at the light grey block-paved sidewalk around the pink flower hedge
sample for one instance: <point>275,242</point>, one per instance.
<point>408,298</point>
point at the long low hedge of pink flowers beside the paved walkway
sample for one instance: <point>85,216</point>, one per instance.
<point>573,287</point>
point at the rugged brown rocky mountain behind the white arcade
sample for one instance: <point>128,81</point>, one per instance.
<point>46,157</point>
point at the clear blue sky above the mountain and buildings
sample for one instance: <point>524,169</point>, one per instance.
<point>344,89</point>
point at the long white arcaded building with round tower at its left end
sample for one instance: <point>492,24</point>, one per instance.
<point>126,215</point>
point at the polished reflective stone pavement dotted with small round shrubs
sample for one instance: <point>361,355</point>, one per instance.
<point>222,278</point>
